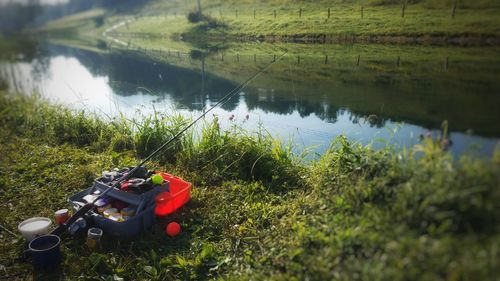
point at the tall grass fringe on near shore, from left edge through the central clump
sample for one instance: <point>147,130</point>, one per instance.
<point>211,155</point>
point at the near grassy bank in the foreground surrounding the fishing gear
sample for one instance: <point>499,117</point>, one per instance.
<point>257,212</point>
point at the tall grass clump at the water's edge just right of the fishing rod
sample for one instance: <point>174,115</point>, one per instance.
<point>239,154</point>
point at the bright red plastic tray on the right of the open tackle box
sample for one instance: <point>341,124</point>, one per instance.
<point>168,202</point>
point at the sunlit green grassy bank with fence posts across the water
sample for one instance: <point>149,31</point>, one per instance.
<point>379,21</point>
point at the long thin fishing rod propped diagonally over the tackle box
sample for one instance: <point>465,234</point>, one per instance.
<point>89,206</point>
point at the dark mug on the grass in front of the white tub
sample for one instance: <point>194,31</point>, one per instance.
<point>44,251</point>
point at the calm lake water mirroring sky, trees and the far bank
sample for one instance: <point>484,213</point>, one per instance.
<point>309,96</point>
